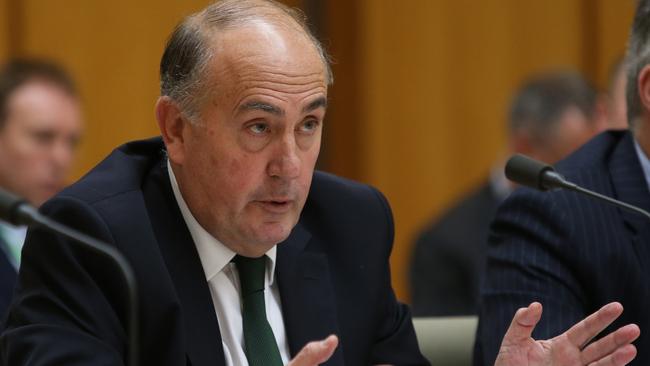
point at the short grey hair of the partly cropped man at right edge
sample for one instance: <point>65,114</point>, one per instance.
<point>636,58</point>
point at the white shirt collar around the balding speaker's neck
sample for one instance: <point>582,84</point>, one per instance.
<point>214,255</point>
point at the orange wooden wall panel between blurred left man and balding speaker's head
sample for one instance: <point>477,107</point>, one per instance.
<point>113,49</point>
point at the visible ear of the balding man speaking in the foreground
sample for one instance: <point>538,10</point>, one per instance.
<point>172,124</point>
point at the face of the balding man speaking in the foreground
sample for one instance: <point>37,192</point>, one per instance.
<point>246,167</point>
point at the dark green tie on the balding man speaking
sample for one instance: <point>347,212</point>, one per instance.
<point>259,343</point>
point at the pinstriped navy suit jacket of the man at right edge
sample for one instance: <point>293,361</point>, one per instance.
<point>572,253</point>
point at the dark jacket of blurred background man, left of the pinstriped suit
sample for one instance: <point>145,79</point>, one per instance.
<point>449,257</point>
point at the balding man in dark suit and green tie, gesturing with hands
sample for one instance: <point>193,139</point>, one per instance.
<point>243,254</point>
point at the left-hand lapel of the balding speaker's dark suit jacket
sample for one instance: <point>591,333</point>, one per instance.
<point>203,340</point>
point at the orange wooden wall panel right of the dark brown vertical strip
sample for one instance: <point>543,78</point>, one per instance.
<point>438,79</point>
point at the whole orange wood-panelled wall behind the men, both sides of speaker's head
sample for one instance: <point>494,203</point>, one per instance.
<point>421,91</point>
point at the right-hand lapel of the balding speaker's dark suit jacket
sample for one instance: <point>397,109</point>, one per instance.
<point>306,293</point>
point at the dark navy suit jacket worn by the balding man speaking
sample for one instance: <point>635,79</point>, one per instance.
<point>332,273</point>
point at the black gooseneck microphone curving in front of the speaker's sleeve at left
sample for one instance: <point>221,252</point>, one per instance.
<point>17,211</point>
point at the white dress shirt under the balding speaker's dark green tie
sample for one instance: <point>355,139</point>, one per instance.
<point>223,280</point>
